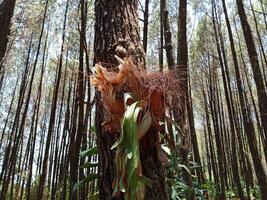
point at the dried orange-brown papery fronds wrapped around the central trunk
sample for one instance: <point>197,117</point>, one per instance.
<point>160,90</point>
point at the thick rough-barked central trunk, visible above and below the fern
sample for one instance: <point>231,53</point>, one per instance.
<point>117,33</point>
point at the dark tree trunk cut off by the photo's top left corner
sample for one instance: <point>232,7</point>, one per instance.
<point>6,13</point>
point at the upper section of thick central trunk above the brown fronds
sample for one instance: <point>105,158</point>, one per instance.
<point>117,32</point>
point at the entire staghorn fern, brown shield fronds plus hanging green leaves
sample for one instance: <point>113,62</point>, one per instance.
<point>158,93</point>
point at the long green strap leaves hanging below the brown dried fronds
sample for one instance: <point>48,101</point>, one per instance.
<point>130,179</point>
